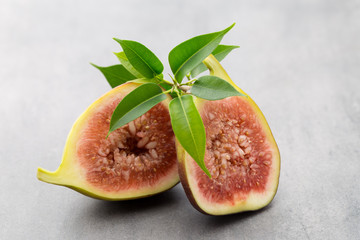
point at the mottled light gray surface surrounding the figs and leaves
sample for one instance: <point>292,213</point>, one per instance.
<point>299,60</point>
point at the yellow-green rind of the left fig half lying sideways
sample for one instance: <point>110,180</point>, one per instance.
<point>71,174</point>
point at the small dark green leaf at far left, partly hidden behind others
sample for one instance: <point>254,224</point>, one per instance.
<point>116,74</point>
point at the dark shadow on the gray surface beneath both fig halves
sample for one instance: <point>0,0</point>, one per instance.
<point>168,201</point>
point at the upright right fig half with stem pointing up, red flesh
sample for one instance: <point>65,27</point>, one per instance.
<point>241,155</point>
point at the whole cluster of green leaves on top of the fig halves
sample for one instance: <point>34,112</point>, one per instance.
<point>140,65</point>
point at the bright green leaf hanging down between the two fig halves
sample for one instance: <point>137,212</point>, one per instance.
<point>189,128</point>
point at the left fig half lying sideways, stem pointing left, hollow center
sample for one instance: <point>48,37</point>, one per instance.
<point>136,160</point>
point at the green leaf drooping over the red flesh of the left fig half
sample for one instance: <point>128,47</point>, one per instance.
<point>135,104</point>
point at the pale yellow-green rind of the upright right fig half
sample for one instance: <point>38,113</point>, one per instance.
<point>253,200</point>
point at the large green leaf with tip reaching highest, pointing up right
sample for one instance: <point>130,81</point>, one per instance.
<point>187,55</point>
